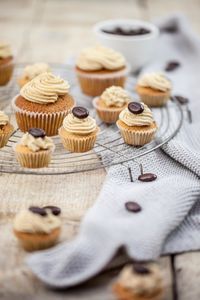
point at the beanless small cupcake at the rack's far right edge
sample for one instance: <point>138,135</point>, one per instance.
<point>154,89</point>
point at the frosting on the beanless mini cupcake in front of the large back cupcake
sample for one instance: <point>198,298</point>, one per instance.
<point>115,96</point>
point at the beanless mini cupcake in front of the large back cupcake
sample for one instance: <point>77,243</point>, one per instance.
<point>109,105</point>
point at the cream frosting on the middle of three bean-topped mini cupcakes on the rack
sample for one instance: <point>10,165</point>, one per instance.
<point>78,126</point>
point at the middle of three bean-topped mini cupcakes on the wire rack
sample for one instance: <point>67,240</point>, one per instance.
<point>79,130</point>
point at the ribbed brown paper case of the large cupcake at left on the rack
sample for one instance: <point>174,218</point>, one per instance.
<point>50,122</point>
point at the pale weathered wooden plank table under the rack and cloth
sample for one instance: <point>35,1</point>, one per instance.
<point>52,31</point>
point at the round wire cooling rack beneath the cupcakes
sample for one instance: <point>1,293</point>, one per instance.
<point>109,149</point>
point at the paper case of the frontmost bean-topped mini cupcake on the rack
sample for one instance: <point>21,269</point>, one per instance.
<point>34,160</point>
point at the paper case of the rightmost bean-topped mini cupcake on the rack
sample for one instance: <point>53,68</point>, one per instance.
<point>137,138</point>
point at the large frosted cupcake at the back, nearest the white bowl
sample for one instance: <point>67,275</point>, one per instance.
<point>98,68</point>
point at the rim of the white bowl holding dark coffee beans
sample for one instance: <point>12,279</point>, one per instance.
<point>97,29</point>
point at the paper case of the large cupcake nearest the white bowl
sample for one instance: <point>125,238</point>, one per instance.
<point>95,84</point>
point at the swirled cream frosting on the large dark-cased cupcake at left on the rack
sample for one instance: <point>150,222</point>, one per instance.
<point>44,89</point>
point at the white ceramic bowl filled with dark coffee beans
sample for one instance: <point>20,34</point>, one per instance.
<point>138,50</point>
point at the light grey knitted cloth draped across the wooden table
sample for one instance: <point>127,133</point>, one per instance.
<point>170,217</point>
